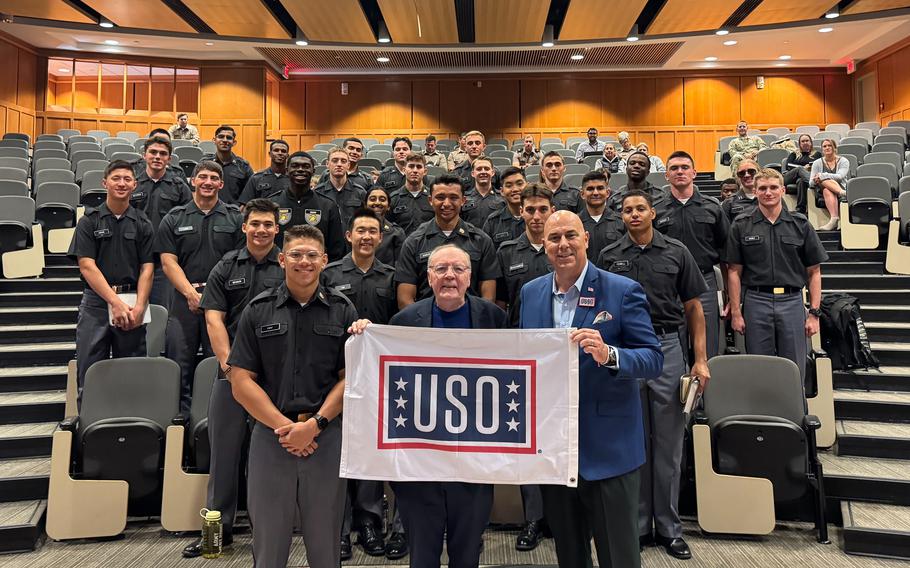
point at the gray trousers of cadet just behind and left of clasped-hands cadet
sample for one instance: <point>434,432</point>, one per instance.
<point>227,430</point>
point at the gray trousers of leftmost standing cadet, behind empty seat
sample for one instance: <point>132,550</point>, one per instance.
<point>97,339</point>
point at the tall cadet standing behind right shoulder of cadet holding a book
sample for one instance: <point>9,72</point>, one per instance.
<point>698,222</point>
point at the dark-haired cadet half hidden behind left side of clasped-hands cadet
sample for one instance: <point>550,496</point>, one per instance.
<point>239,276</point>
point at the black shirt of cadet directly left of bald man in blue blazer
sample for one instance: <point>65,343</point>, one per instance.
<point>520,263</point>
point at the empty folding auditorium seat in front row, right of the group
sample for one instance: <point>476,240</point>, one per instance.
<point>755,448</point>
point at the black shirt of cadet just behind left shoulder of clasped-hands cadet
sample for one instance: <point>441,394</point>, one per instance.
<point>237,279</point>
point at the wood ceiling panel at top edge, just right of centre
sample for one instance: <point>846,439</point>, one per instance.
<point>509,21</point>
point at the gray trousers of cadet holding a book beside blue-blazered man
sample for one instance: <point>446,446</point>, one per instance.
<point>664,429</point>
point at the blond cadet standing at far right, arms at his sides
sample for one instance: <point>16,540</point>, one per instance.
<point>773,253</point>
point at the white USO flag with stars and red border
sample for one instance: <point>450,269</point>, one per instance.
<point>477,405</point>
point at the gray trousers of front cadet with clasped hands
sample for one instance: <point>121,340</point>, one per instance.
<point>280,484</point>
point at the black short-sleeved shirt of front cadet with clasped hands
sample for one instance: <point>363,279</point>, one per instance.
<point>296,351</point>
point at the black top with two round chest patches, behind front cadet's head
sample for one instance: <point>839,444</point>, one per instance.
<point>312,209</point>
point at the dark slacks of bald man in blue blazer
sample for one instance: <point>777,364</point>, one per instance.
<point>606,509</point>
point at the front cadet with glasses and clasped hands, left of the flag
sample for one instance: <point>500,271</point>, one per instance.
<point>287,370</point>
